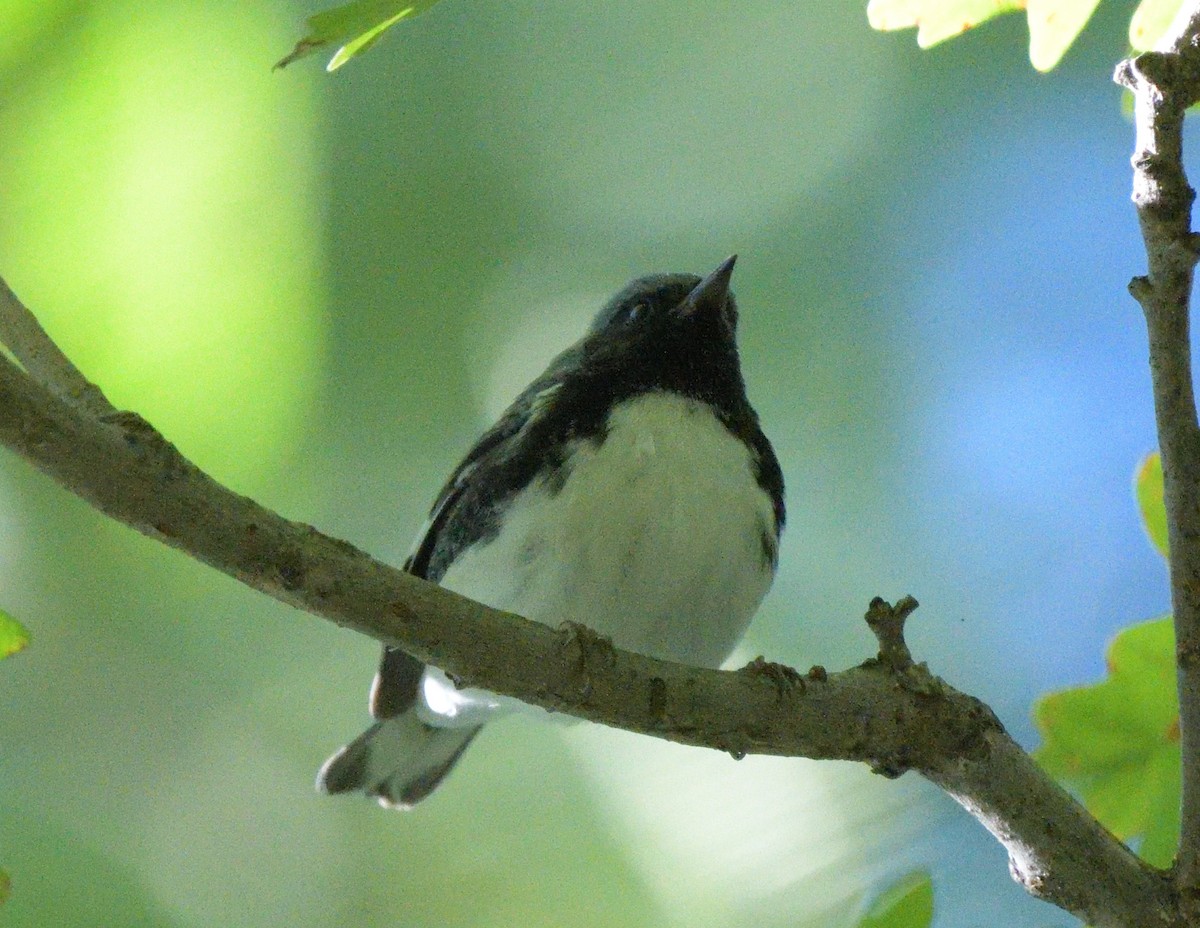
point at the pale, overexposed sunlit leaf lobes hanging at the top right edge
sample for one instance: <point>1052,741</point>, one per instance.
<point>1054,25</point>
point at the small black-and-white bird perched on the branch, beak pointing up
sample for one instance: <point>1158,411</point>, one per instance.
<point>628,489</point>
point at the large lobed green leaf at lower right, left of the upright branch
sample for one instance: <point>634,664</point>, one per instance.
<point>1118,743</point>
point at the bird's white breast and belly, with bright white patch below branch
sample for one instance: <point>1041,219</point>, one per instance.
<point>655,540</point>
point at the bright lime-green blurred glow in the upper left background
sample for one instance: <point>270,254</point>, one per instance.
<point>191,196</point>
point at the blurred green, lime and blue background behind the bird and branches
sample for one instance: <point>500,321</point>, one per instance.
<point>322,288</point>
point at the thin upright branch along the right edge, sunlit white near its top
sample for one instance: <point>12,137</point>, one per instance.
<point>1165,85</point>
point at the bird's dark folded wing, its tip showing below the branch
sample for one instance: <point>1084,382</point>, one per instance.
<point>398,682</point>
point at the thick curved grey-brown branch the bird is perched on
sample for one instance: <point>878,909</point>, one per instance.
<point>889,713</point>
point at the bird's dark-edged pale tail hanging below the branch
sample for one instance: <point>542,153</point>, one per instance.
<point>399,762</point>
